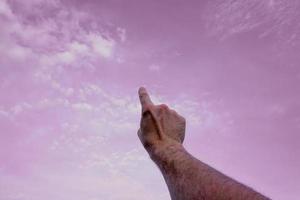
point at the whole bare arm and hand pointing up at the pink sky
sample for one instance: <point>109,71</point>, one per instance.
<point>162,132</point>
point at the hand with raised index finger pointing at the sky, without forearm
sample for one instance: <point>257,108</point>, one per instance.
<point>159,124</point>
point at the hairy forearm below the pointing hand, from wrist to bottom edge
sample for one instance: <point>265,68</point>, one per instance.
<point>190,179</point>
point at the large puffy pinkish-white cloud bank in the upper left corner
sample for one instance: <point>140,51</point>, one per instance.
<point>57,43</point>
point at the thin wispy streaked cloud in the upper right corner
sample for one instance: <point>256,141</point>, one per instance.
<point>225,19</point>
